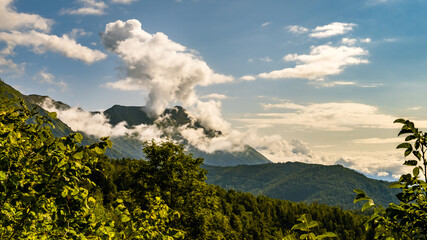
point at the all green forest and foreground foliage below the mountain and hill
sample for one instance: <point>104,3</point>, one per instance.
<point>57,188</point>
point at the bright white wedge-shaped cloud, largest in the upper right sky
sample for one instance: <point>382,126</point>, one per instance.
<point>322,61</point>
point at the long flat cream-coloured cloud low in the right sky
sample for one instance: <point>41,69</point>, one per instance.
<point>327,117</point>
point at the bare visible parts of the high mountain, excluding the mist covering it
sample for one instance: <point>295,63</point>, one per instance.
<point>130,147</point>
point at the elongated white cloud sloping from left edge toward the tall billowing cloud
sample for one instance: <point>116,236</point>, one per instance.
<point>42,42</point>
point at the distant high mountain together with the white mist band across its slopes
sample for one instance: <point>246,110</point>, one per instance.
<point>129,126</point>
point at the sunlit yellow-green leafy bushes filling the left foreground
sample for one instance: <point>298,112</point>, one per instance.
<point>45,185</point>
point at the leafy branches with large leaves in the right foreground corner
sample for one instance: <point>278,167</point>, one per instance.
<point>408,219</point>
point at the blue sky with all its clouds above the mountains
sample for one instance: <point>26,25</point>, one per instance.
<point>309,80</point>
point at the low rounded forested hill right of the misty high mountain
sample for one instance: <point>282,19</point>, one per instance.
<point>300,182</point>
